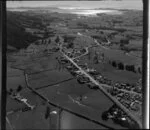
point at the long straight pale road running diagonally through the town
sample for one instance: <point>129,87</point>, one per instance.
<point>103,90</point>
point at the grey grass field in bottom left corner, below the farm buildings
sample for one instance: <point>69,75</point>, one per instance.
<point>34,119</point>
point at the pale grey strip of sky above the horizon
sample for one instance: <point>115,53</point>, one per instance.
<point>123,4</point>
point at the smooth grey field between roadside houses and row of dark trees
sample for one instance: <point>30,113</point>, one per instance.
<point>110,72</point>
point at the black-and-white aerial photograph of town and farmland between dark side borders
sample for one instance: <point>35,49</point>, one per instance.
<point>74,64</point>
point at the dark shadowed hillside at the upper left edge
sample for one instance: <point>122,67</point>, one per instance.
<point>16,35</point>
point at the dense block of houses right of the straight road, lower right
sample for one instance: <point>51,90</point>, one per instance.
<point>129,100</point>
